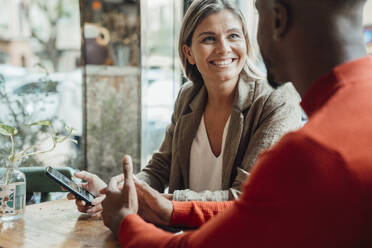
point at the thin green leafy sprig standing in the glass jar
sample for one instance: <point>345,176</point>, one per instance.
<point>31,150</point>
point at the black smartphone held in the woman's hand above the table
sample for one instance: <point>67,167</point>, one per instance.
<point>67,183</point>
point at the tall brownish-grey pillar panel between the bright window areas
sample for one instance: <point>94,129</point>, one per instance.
<point>111,87</point>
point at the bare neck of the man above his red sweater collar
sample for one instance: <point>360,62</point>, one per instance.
<point>317,45</point>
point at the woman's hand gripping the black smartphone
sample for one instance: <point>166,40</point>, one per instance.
<point>94,185</point>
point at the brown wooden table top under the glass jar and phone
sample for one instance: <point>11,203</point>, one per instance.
<point>55,224</point>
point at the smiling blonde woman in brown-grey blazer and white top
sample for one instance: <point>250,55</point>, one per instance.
<point>224,117</point>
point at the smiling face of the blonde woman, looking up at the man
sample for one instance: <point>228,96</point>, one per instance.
<point>218,47</point>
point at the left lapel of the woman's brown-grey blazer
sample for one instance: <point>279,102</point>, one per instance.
<point>187,126</point>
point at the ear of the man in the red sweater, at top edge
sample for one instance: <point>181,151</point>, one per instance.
<point>281,20</point>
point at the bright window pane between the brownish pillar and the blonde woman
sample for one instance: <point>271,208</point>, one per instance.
<point>160,71</point>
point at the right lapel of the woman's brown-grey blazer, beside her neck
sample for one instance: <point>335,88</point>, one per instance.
<point>242,101</point>
